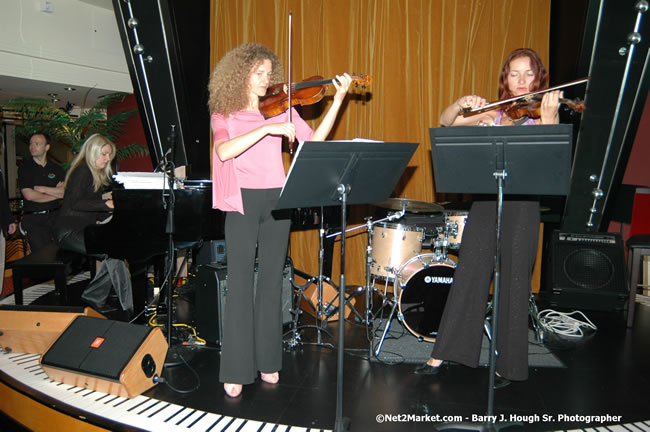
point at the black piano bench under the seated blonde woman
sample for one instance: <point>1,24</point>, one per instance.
<point>48,262</point>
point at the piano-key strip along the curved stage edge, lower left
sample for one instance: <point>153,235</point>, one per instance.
<point>140,412</point>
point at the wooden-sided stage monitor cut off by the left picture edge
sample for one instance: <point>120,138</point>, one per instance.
<point>32,329</point>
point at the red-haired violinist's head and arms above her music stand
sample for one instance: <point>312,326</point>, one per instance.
<point>523,72</point>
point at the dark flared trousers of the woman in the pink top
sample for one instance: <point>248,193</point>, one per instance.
<point>252,321</point>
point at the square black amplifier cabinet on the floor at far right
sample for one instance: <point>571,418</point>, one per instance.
<point>588,271</point>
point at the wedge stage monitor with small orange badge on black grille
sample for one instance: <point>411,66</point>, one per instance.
<point>108,356</point>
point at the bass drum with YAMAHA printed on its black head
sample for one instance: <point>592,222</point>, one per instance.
<point>424,286</point>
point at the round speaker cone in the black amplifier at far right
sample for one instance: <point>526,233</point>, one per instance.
<point>589,269</point>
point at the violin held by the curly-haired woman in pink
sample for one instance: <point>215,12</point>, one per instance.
<point>307,92</point>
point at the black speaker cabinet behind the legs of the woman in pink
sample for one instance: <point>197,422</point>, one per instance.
<point>211,290</point>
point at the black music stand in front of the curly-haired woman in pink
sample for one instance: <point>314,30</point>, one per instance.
<point>333,173</point>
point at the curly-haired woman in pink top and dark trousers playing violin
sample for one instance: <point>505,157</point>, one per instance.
<point>248,175</point>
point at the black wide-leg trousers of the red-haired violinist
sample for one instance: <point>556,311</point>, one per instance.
<point>461,329</point>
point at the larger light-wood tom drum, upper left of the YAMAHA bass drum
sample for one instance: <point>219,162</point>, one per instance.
<point>392,245</point>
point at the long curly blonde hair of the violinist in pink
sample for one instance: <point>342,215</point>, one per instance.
<point>228,84</point>
